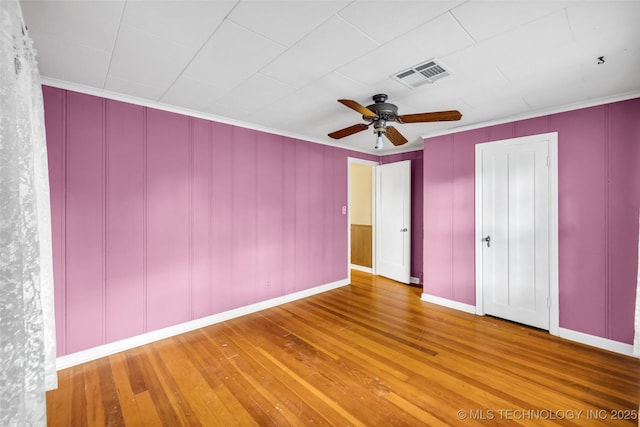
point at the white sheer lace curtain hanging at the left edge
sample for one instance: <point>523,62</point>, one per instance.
<point>27,332</point>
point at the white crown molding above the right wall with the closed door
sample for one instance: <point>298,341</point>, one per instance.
<point>539,113</point>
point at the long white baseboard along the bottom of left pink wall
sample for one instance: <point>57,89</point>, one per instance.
<point>149,337</point>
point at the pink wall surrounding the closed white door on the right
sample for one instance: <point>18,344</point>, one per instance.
<point>599,201</point>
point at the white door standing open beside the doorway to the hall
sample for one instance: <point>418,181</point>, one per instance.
<point>393,221</point>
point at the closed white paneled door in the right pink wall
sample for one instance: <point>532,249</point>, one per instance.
<point>515,224</point>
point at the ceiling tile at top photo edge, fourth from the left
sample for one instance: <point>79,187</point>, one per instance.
<point>384,21</point>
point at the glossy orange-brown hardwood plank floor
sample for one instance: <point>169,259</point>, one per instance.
<point>366,354</point>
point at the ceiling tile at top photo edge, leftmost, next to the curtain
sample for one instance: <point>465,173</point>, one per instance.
<point>93,24</point>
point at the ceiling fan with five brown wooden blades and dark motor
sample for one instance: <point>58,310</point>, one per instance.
<point>380,113</point>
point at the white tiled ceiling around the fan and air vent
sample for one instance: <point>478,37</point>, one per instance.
<point>280,66</point>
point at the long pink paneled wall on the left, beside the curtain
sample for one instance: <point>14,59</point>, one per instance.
<point>159,218</point>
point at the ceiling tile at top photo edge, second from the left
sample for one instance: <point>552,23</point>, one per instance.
<point>189,23</point>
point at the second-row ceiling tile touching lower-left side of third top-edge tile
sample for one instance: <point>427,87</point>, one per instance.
<point>232,55</point>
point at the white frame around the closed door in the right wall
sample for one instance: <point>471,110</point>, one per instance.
<point>552,162</point>
